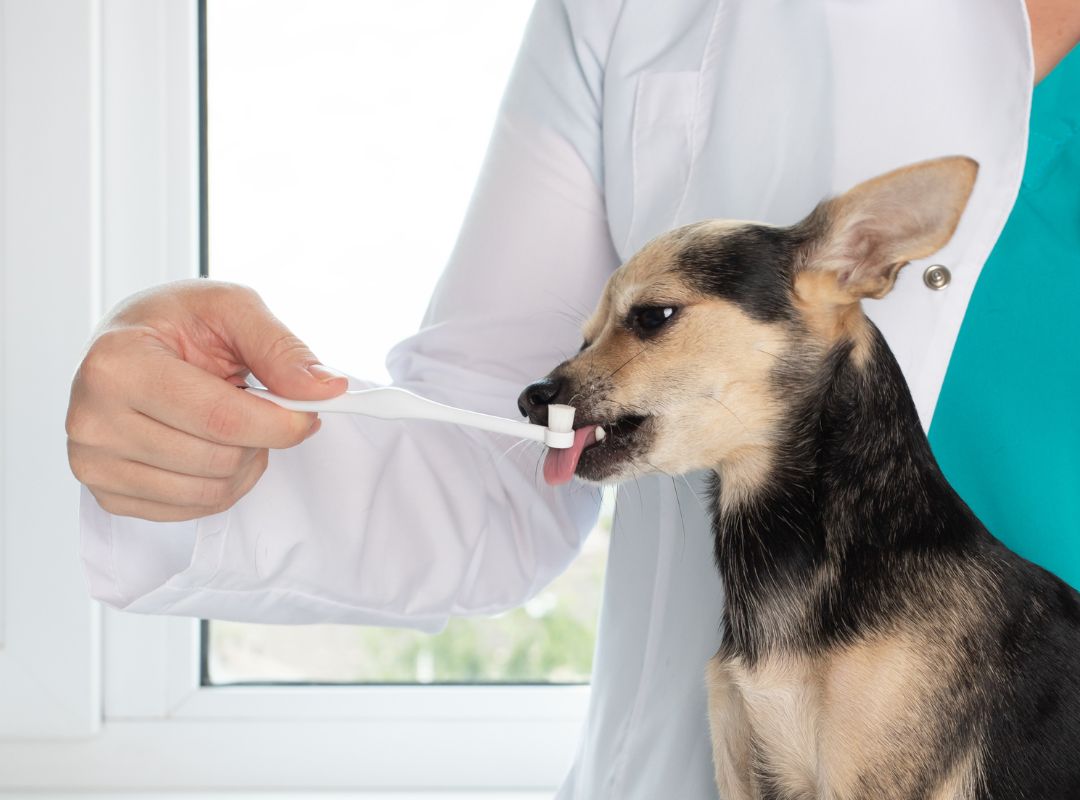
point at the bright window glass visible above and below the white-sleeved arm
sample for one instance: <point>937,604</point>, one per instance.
<point>345,139</point>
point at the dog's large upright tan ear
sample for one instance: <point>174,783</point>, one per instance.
<point>869,234</point>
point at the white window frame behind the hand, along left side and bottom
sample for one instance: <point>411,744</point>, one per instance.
<point>101,197</point>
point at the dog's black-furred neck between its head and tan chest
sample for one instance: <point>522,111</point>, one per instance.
<point>854,503</point>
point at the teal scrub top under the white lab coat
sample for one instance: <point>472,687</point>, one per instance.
<point>1007,427</point>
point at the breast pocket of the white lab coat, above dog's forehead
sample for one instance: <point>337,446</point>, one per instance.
<point>661,147</point>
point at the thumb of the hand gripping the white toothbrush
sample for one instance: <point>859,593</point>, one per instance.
<point>277,357</point>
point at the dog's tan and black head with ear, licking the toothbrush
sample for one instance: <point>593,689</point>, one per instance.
<point>696,350</point>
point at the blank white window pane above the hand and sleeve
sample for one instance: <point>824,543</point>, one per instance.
<point>345,138</point>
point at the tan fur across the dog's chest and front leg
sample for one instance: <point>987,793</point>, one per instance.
<point>855,723</point>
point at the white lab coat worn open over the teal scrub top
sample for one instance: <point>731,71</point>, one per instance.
<point>623,120</point>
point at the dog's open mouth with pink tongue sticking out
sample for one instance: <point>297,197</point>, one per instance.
<point>595,459</point>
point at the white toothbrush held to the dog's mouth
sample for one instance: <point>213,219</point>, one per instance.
<point>393,403</point>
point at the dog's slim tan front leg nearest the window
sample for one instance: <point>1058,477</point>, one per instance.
<point>731,730</point>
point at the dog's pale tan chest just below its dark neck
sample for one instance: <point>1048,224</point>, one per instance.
<point>821,727</point>
